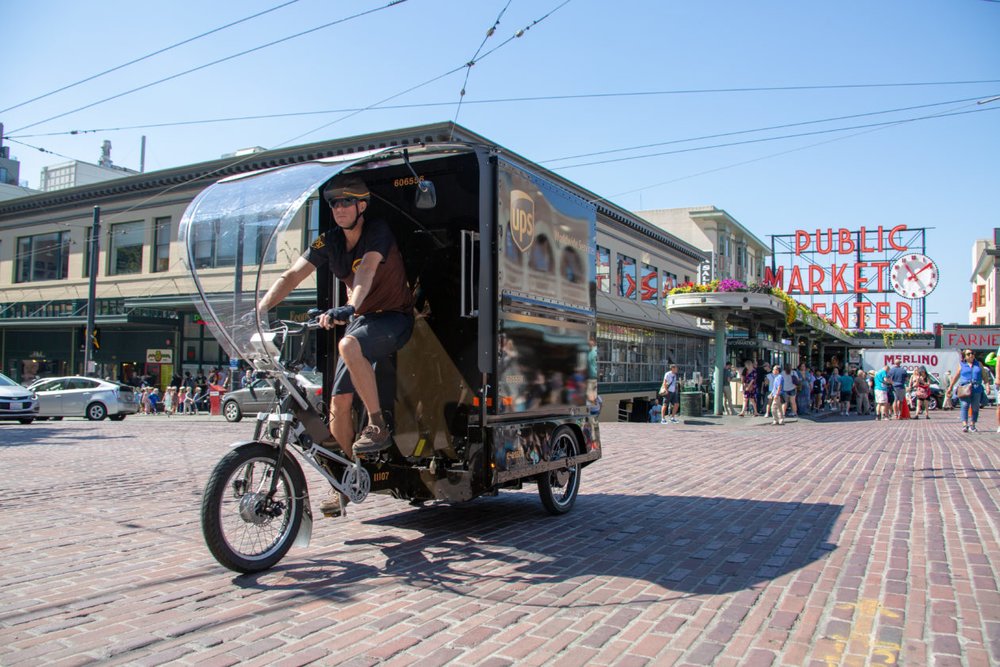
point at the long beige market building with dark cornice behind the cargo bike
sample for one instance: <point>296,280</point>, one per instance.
<point>146,323</point>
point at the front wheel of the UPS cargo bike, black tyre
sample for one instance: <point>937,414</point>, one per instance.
<point>247,528</point>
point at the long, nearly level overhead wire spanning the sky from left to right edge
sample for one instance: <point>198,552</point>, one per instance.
<point>499,100</point>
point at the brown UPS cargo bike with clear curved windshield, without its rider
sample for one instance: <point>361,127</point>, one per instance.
<point>495,387</point>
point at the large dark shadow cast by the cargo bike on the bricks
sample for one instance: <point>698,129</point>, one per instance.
<point>684,544</point>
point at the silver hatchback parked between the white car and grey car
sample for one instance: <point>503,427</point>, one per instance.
<point>84,397</point>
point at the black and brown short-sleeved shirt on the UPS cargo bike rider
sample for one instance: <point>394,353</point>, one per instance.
<point>389,291</point>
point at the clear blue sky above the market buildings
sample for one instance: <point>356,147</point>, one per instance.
<point>939,173</point>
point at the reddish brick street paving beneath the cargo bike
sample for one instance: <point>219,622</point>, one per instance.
<point>842,542</point>
